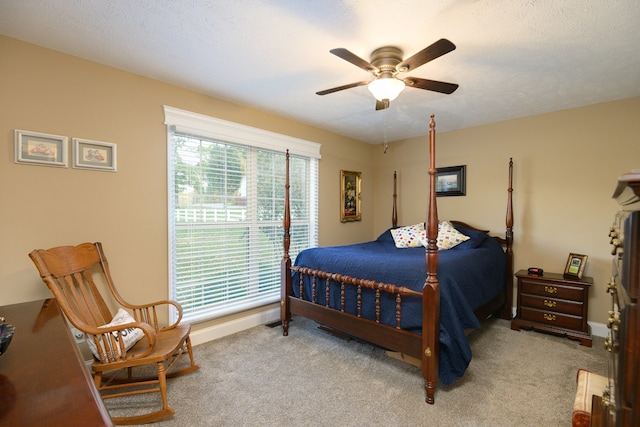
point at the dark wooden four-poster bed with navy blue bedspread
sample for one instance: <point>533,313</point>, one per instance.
<point>392,298</point>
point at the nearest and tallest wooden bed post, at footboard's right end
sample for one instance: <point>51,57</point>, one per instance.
<point>431,289</point>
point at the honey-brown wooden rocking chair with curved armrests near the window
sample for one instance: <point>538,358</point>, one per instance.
<point>69,272</point>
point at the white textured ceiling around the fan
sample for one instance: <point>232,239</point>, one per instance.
<point>513,58</point>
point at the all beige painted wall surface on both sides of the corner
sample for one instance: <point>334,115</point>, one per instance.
<point>566,165</point>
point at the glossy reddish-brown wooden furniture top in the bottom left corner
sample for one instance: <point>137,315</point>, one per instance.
<point>43,378</point>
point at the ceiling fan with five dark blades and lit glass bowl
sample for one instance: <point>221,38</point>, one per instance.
<point>386,63</point>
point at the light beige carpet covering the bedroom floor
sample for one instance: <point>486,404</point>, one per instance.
<point>310,378</point>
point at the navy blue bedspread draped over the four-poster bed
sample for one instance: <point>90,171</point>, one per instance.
<point>470,275</point>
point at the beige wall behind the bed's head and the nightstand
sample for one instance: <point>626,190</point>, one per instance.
<point>566,166</point>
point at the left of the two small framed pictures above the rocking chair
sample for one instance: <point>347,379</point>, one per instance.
<point>40,149</point>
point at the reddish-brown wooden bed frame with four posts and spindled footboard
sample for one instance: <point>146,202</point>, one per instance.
<point>424,346</point>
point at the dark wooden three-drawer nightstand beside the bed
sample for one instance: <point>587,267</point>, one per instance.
<point>555,304</point>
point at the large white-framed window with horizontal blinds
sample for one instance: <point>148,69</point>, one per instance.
<point>226,193</point>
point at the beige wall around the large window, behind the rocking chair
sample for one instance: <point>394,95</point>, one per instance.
<point>45,91</point>
